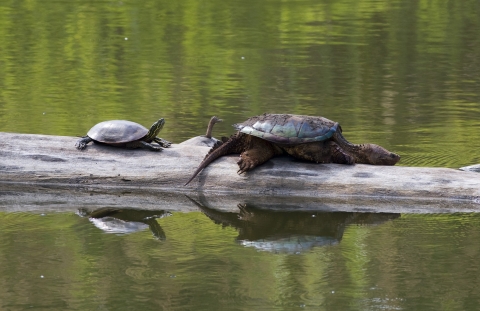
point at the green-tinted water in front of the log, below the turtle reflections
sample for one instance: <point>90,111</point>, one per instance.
<point>414,262</point>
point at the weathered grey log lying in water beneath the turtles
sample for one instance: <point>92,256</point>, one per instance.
<point>41,162</point>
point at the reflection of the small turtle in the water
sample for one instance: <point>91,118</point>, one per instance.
<point>125,221</point>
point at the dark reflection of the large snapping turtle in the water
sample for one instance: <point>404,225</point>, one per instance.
<point>289,231</point>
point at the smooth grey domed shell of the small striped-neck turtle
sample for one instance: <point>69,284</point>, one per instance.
<point>117,132</point>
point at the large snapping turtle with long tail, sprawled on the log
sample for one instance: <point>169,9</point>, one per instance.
<point>310,138</point>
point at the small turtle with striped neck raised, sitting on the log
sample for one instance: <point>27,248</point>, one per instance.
<point>125,134</point>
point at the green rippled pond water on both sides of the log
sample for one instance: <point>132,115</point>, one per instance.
<point>402,74</point>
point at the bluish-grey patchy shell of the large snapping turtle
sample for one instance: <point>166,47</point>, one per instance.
<point>289,128</point>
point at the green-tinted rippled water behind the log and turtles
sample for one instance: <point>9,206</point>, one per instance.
<point>379,68</point>
